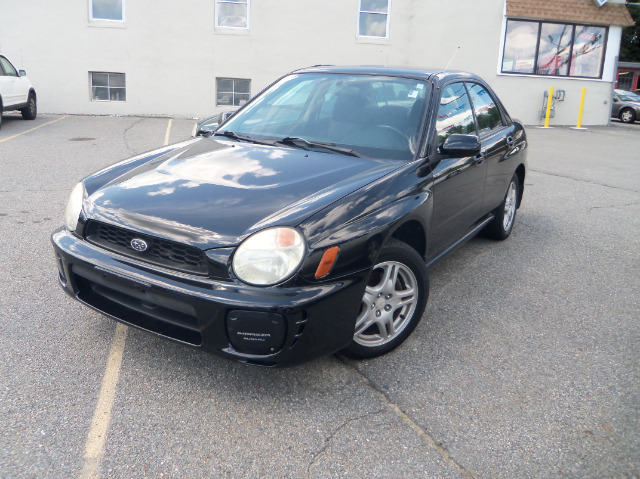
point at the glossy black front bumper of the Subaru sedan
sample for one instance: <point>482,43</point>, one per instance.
<point>264,326</point>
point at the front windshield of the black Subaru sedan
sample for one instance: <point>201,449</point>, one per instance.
<point>376,116</point>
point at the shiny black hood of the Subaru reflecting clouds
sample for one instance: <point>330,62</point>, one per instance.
<point>214,193</point>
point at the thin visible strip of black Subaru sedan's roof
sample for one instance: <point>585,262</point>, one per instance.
<point>428,74</point>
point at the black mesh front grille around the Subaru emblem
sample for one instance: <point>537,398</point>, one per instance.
<point>159,251</point>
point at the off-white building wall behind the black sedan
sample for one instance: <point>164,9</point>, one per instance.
<point>171,52</point>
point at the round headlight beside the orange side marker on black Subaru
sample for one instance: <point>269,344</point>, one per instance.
<point>269,256</point>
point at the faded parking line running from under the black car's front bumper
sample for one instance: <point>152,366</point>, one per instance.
<point>94,449</point>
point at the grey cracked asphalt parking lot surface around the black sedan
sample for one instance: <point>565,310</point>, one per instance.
<point>526,363</point>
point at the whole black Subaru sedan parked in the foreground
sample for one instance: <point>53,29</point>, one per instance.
<point>306,224</point>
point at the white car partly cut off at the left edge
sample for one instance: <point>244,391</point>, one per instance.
<point>16,91</point>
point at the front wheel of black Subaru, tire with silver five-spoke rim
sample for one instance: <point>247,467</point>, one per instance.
<point>387,318</point>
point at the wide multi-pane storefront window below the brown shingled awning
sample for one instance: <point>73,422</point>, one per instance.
<point>545,48</point>
